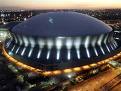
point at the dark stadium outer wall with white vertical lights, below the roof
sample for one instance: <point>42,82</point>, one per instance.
<point>60,52</point>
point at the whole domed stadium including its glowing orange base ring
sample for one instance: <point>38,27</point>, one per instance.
<point>58,43</point>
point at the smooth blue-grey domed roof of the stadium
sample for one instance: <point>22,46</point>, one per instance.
<point>55,24</point>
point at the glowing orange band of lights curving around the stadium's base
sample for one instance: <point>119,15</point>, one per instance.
<point>58,72</point>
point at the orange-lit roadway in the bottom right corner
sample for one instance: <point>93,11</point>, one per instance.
<point>99,82</point>
